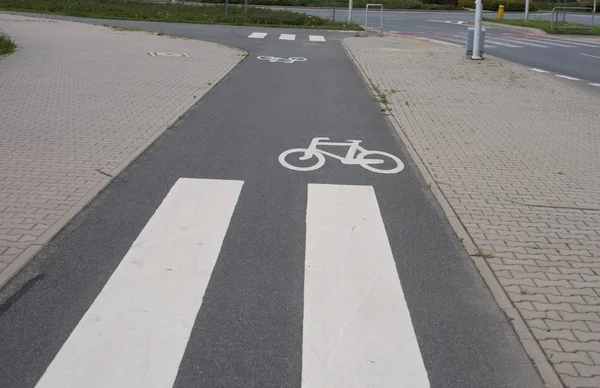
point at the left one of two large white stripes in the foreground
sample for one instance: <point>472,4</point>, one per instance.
<point>136,331</point>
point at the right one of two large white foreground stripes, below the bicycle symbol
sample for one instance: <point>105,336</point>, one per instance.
<point>357,327</point>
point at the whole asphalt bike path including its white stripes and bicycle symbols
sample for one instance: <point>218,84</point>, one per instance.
<point>212,261</point>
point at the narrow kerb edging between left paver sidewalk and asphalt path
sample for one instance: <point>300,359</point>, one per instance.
<point>31,252</point>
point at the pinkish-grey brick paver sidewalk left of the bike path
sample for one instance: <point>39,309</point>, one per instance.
<point>78,102</point>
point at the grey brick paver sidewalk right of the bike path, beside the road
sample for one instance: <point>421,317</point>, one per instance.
<point>515,153</point>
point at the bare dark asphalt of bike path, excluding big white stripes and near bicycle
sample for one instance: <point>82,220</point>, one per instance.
<point>249,330</point>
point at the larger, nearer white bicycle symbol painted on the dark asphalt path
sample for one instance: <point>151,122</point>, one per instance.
<point>355,155</point>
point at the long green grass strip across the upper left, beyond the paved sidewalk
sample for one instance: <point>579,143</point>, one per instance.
<point>173,13</point>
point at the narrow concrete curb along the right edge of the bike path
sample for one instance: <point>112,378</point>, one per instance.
<point>530,344</point>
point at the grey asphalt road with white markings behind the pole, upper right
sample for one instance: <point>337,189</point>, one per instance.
<point>568,61</point>
